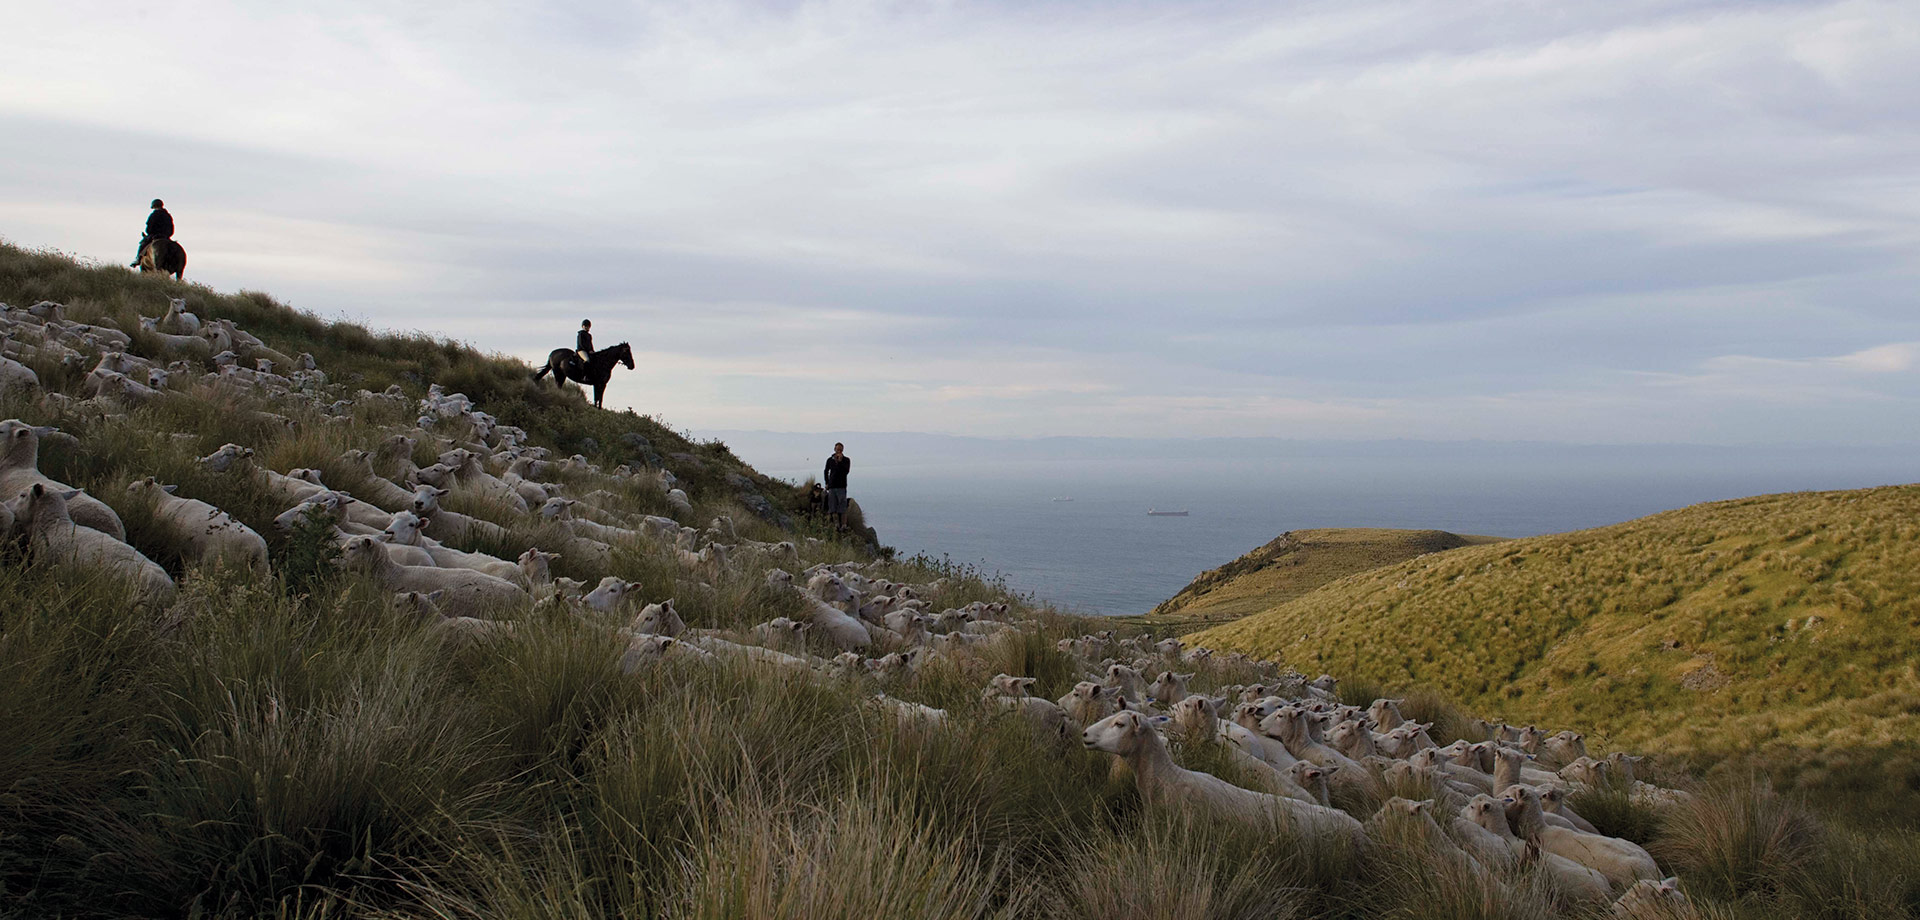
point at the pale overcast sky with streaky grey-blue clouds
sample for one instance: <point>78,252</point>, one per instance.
<point>1585,222</point>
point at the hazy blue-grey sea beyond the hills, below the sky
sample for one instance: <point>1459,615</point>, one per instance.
<point>992,504</point>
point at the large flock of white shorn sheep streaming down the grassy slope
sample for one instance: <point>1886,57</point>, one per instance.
<point>1487,806</point>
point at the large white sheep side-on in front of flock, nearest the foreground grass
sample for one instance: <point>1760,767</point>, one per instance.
<point>1164,785</point>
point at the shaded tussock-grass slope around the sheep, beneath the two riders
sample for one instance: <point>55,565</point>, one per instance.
<point>293,744</point>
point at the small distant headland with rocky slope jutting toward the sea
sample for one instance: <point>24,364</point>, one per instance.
<point>1297,564</point>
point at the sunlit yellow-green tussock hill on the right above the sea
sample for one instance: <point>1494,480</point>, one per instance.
<point>1781,629</point>
